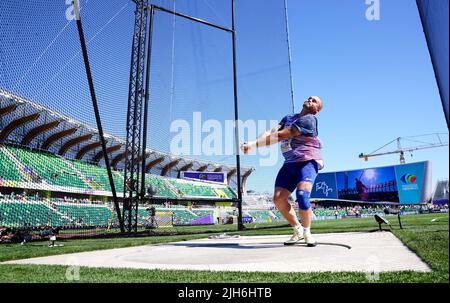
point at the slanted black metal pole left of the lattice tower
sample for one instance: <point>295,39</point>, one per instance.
<point>96,111</point>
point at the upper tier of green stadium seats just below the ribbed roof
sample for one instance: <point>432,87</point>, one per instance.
<point>51,170</point>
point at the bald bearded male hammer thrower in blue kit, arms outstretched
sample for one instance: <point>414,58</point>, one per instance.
<point>301,149</point>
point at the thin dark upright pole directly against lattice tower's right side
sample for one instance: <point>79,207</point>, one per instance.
<point>147,84</point>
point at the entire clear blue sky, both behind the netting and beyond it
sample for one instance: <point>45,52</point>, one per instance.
<point>376,78</point>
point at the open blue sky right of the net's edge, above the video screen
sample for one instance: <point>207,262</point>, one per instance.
<point>375,78</point>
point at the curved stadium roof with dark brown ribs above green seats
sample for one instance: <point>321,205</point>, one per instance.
<point>29,124</point>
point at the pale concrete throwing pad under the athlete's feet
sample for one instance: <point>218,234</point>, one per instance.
<point>370,252</point>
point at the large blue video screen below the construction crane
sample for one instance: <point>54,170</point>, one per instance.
<point>403,184</point>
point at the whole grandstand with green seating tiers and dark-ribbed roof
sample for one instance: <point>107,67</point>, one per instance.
<point>39,160</point>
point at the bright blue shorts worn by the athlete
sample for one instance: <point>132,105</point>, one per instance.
<point>291,174</point>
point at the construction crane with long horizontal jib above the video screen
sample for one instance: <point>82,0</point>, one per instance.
<point>401,150</point>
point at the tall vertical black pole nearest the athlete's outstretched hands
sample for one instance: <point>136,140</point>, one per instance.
<point>236,119</point>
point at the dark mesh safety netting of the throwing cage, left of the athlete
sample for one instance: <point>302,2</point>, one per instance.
<point>61,186</point>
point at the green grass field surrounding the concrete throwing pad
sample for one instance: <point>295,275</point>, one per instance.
<point>423,235</point>
